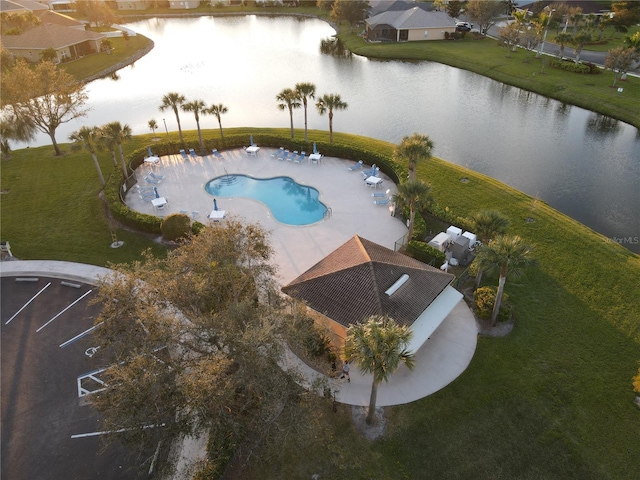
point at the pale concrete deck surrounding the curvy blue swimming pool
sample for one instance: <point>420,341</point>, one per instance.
<point>297,248</point>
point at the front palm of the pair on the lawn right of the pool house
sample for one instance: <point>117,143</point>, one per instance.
<point>509,254</point>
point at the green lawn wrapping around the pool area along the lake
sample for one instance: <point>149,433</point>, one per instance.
<point>552,400</point>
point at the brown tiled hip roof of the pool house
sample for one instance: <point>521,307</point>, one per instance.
<point>349,284</point>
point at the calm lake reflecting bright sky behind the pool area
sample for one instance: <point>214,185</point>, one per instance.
<point>581,163</point>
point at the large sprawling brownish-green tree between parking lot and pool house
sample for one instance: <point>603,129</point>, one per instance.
<point>197,347</point>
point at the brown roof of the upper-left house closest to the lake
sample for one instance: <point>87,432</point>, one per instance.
<point>46,36</point>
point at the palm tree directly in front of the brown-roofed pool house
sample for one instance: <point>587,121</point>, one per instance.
<point>378,347</point>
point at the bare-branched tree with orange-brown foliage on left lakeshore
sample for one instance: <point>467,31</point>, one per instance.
<point>43,96</point>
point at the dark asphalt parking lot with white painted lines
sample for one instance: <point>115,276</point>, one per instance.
<point>48,429</point>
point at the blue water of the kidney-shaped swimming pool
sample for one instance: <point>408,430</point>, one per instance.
<point>289,202</point>
